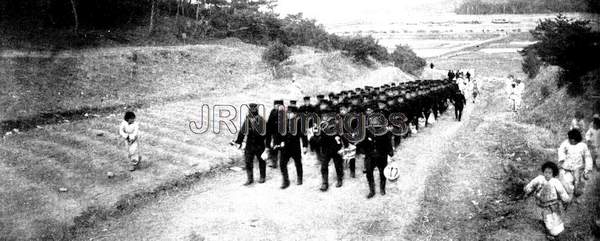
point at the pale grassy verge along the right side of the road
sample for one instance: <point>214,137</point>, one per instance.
<point>516,147</point>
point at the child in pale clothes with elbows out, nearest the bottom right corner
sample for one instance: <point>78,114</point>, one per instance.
<point>549,193</point>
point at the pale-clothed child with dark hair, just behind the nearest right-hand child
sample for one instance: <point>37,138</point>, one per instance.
<point>575,163</point>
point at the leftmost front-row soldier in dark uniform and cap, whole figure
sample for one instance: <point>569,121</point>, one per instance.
<point>254,131</point>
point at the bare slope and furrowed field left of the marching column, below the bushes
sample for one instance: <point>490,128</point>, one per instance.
<point>167,87</point>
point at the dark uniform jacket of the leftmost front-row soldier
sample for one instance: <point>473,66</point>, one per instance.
<point>252,128</point>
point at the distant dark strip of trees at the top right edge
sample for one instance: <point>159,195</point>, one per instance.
<point>526,6</point>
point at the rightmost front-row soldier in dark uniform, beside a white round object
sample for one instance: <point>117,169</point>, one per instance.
<point>376,148</point>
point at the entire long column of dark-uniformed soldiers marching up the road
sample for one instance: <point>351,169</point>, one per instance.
<point>367,122</point>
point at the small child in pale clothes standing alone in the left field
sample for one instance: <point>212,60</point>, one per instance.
<point>130,131</point>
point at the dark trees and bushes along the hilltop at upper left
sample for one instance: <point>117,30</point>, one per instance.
<point>252,21</point>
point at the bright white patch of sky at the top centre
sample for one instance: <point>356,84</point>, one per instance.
<point>330,12</point>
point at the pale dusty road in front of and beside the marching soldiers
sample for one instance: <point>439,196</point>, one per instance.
<point>222,209</point>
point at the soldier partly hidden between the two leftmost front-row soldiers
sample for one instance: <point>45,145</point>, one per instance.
<point>276,116</point>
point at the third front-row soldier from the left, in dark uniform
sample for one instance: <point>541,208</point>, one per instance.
<point>327,146</point>
